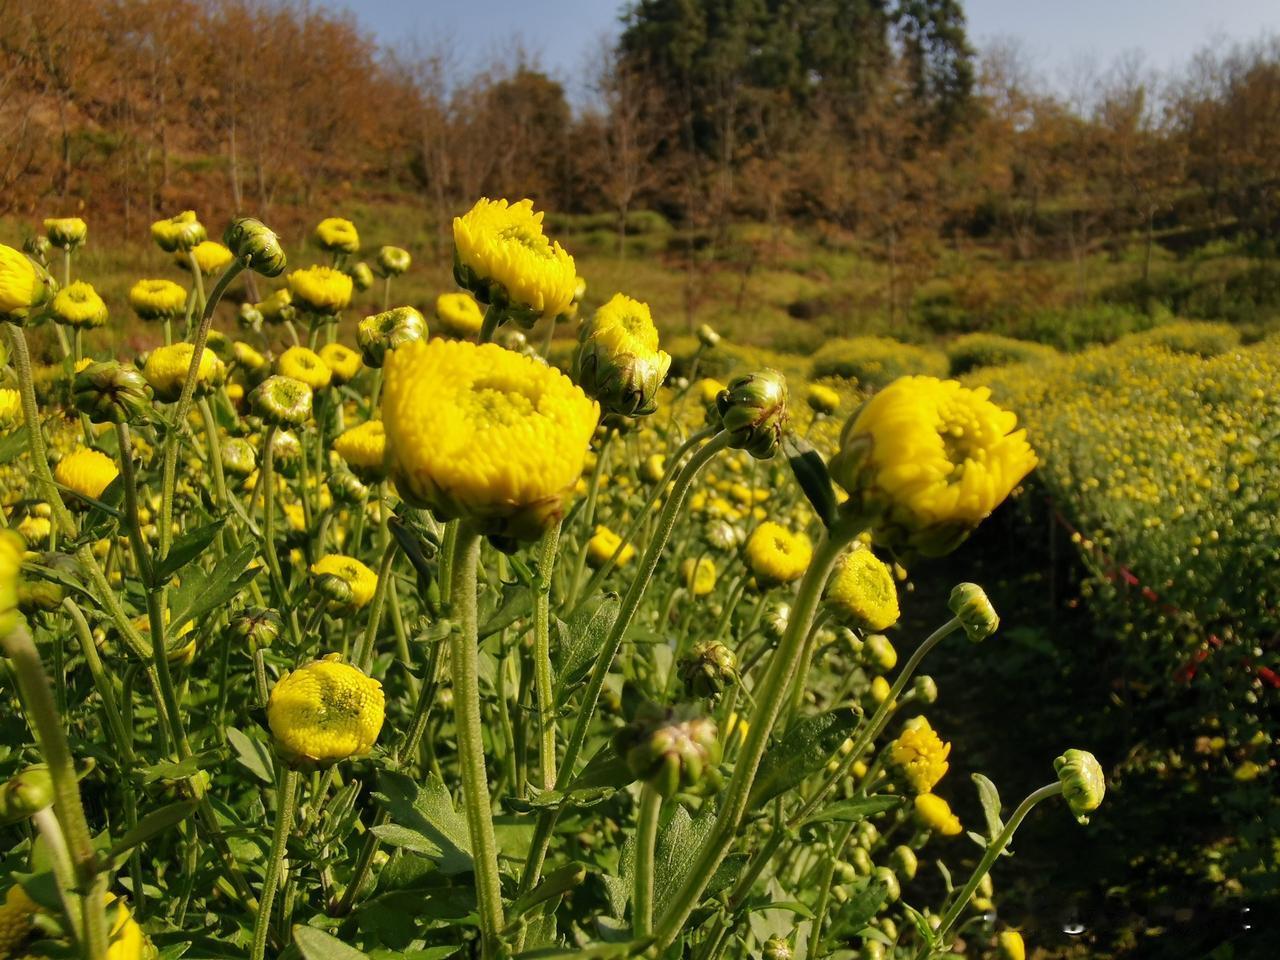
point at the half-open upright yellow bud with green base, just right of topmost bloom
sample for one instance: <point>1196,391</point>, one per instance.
<point>619,360</point>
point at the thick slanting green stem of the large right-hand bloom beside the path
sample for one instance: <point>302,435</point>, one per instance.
<point>770,700</point>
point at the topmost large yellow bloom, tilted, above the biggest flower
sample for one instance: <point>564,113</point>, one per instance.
<point>501,249</point>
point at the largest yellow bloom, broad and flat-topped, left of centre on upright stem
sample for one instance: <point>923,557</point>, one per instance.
<point>483,433</point>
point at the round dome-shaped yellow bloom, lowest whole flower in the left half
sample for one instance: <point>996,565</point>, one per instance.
<point>324,712</point>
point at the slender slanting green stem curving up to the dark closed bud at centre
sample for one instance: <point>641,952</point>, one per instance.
<point>605,659</point>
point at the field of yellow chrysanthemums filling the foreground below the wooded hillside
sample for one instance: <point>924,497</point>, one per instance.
<point>337,627</point>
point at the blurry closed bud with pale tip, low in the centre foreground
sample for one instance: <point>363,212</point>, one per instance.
<point>671,749</point>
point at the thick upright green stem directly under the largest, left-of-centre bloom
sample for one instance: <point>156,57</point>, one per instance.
<point>464,657</point>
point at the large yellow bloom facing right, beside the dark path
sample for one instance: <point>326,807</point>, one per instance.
<point>929,460</point>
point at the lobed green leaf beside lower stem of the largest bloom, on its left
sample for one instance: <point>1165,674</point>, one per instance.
<point>426,820</point>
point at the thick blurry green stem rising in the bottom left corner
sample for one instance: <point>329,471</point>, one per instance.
<point>45,723</point>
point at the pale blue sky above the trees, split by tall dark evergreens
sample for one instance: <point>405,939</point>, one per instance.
<point>1057,34</point>
